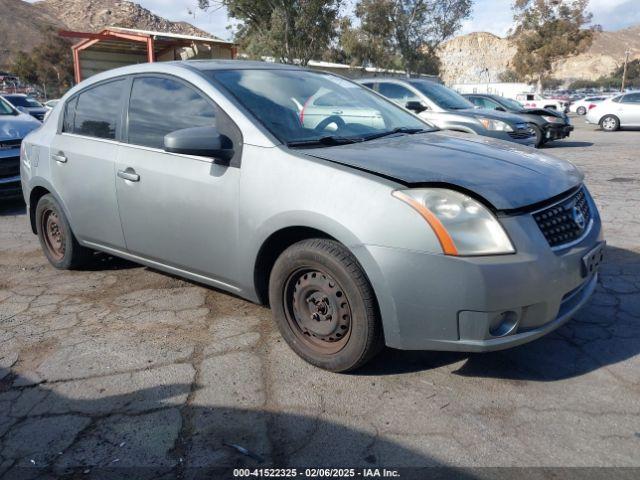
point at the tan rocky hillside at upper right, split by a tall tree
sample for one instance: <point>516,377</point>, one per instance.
<point>482,57</point>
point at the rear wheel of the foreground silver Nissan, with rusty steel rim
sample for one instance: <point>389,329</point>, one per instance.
<point>56,238</point>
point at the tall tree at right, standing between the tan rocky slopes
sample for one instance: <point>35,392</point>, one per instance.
<point>547,31</point>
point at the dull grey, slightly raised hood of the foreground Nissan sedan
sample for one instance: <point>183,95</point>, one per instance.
<point>504,174</point>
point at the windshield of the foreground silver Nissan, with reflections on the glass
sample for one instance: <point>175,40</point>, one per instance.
<point>311,107</point>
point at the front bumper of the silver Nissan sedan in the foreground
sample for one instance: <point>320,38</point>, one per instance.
<point>439,302</point>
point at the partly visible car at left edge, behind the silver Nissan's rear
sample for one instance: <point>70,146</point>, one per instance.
<point>14,126</point>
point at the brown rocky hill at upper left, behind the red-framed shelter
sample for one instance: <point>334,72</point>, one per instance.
<point>22,28</point>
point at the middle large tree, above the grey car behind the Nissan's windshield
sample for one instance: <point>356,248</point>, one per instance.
<point>403,33</point>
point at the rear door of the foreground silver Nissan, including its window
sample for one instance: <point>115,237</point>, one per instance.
<point>83,155</point>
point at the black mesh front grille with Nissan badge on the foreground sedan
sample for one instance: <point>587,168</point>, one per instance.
<point>565,221</point>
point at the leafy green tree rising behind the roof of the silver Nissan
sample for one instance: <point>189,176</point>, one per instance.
<point>290,30</point>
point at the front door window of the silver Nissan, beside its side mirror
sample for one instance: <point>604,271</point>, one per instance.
<point>160,105</point>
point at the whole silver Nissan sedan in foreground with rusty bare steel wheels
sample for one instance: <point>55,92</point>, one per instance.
<point>357,233</point>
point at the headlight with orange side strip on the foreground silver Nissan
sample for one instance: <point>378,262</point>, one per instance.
<point>463,225</point>
